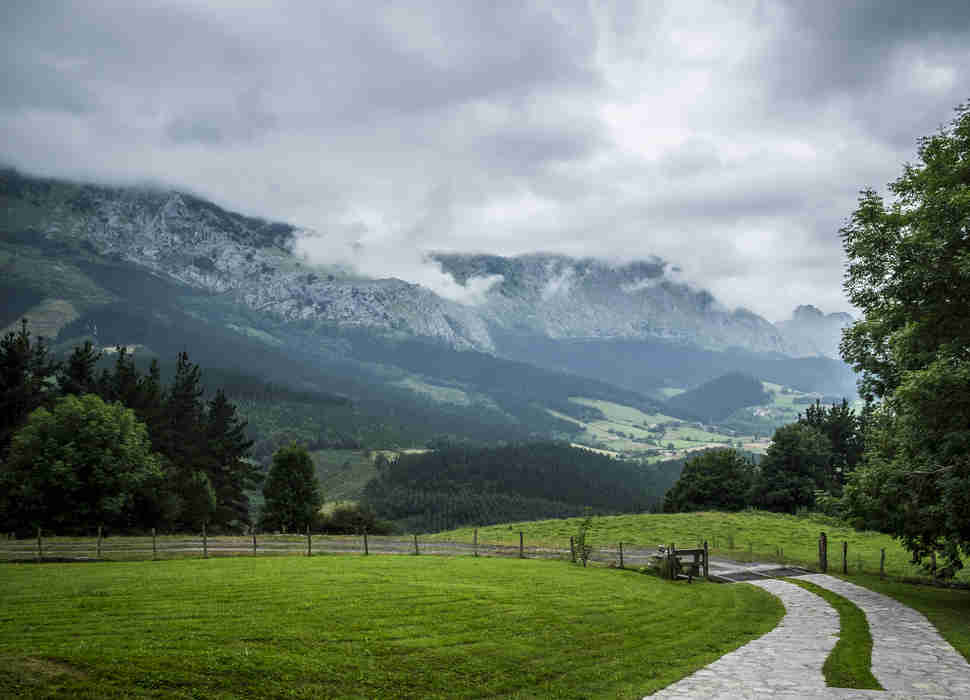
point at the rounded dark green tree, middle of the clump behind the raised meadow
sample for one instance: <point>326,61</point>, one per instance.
<point>794,467</point>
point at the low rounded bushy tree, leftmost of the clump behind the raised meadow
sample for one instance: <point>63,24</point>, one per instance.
<point>713,480</point>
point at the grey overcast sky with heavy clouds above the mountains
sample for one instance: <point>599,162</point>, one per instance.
<point>730,139</point>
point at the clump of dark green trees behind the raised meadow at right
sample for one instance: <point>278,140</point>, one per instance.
<point>806,466</point>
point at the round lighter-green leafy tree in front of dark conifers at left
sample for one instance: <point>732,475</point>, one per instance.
<point>85,462</point>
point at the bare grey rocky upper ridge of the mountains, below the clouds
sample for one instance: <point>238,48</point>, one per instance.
<point>196,243</point>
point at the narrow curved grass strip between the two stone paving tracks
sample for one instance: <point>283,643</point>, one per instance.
<point>849,665</point>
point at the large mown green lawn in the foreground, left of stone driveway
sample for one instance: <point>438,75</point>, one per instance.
<point>361,627</point>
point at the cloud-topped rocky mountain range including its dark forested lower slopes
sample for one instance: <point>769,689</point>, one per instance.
<point>169,270</point>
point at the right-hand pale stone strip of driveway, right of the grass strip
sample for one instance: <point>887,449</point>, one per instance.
<point>908,655</point>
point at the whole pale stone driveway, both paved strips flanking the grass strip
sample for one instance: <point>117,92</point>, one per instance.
<point>909,658</point>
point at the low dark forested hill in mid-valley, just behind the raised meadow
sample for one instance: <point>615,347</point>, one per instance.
<point>461,485</point>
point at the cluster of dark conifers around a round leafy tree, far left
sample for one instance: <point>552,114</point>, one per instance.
<point>202,445</point>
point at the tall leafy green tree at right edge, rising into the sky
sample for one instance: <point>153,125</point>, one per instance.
<point>909,272</point>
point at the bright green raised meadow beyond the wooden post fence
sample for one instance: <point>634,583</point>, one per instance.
<point>746,535</point>
